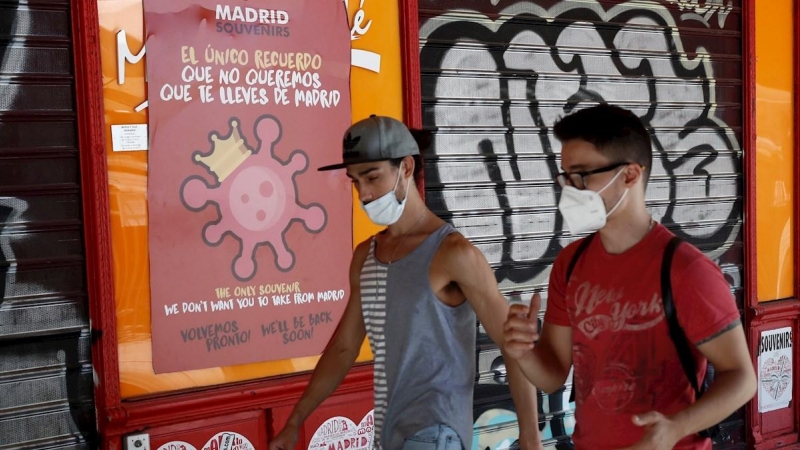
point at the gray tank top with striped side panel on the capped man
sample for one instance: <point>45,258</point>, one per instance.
<point>424,350</point>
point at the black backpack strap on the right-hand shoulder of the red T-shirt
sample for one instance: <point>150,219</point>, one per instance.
<point>676,332</point>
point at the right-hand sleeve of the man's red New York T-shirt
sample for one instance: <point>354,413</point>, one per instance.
<point>703,299</point>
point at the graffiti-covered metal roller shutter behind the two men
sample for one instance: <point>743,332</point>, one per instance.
<point>497,74</point>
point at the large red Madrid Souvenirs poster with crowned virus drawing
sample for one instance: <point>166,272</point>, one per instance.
<point>249,244</point>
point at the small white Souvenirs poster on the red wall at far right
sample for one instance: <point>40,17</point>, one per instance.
<point>775,370</point>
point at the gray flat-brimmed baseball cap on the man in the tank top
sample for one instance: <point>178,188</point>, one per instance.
<point>377,138</point>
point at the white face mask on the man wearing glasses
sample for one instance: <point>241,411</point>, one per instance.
<point>584,210</point>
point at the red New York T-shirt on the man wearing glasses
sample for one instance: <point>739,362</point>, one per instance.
<point>624,360</point>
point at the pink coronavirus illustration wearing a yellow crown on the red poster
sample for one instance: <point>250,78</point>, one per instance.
<point>255,194</point>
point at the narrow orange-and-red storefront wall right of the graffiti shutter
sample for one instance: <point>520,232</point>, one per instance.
<point>773,201</point>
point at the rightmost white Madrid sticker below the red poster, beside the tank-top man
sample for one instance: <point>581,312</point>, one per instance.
<point>341,433</point>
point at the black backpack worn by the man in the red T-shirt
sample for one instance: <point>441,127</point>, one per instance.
<point>676,332</point>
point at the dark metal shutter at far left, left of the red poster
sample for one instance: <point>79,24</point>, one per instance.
<point>45,367</point>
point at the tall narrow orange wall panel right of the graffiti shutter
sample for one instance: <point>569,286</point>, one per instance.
<point>775,149</point>
